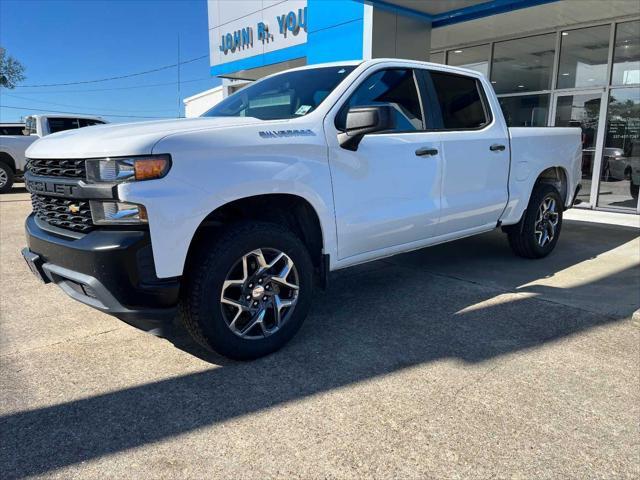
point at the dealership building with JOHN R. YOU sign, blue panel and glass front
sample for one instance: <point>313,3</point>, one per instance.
<point>551,62</point>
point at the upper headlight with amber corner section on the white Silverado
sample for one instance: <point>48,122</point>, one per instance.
<point>101,170</point>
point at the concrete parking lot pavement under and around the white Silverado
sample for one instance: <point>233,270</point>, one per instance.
<point>459,361</point>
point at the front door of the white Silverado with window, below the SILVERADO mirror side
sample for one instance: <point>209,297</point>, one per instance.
<point>387,192</point>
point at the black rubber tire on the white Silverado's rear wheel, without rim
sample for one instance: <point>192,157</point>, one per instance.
<point>522,236</point>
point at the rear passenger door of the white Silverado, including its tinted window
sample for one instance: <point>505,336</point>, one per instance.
<point>475,149</point>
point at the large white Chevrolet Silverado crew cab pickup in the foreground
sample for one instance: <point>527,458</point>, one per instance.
<point>233,217</point>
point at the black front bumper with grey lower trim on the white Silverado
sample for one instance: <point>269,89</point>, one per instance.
<point>110,270</point>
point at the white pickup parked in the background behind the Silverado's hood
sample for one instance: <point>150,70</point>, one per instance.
<point>15,143</point>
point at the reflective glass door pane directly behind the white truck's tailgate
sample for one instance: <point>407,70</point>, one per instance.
<point>581,111</point>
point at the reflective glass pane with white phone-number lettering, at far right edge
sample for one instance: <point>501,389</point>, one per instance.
<point>621,162</point>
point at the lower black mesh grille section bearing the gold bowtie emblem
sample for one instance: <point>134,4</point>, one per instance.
<point>61,212</point>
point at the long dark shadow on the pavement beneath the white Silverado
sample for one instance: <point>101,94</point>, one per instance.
<point>373,320</point>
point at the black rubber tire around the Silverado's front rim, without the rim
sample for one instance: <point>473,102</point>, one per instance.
<point>209,266</point>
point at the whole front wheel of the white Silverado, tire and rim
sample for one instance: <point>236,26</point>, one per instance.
<point>248,292</point>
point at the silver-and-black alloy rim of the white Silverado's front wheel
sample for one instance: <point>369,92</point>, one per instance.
<point>259,293</point>
